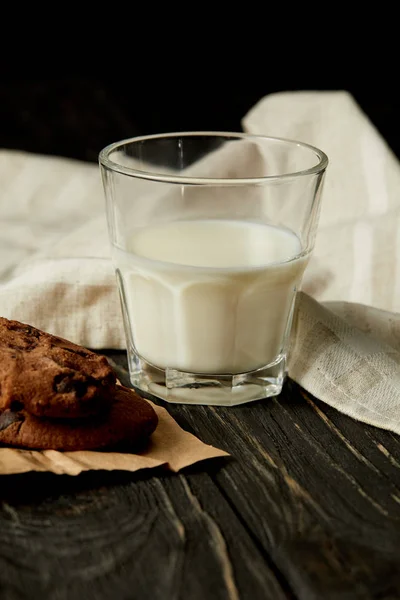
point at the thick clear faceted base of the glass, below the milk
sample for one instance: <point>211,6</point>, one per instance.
<point>179,387</point>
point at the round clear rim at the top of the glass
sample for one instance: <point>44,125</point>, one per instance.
<point>106,162</point>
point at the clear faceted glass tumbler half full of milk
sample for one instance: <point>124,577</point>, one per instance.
<point>210,236</point>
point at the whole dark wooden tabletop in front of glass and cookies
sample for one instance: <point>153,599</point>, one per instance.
<point>308,506</point>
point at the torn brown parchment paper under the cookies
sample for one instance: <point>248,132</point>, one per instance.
<point>170,446</point>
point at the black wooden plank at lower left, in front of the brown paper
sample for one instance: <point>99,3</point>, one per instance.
<point>117,536</point>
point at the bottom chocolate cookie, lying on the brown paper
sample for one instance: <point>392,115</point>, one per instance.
<point>128,424</point>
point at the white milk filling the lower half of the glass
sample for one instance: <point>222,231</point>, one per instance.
<point>210,296</point>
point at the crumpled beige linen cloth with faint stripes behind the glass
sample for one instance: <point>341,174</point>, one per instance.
<point>56,274</point>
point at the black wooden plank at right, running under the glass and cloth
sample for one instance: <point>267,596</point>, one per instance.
<point>319,492</point>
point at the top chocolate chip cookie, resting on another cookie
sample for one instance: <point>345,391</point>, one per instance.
<point>48,376</point>
